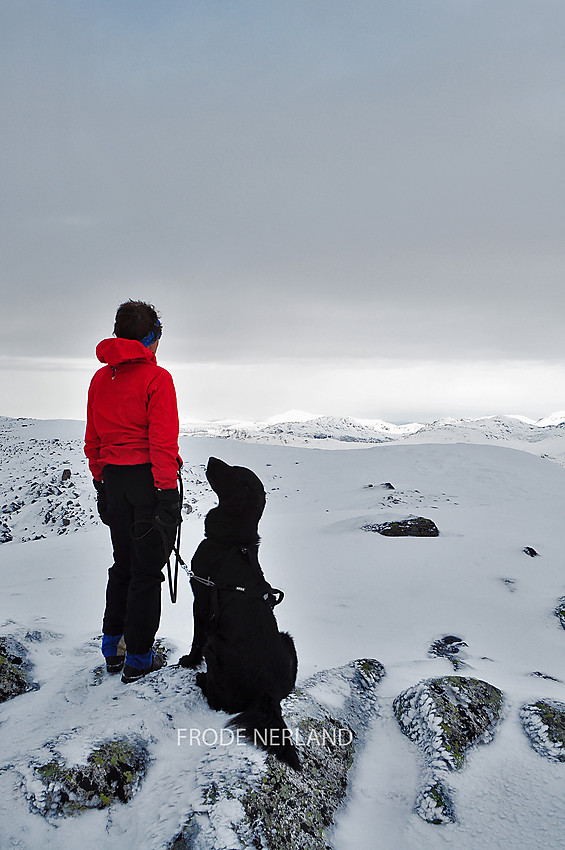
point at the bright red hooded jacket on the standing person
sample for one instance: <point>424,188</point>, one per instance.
<point>132,413</point>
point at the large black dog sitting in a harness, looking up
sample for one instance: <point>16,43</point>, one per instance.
<point>251,666</point>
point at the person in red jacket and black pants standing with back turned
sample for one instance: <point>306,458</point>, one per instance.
<point>131,443</point>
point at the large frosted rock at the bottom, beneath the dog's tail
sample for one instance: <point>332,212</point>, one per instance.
<point>269,806</point>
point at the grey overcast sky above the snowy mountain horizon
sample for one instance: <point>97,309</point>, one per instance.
<point>349,207</point>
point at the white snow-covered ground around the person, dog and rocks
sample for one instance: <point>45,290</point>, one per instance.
<point>349,594</point>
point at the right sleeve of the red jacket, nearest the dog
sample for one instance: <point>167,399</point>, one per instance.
<point>163,420</point>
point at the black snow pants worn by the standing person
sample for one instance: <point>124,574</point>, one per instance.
<point>133,593</point>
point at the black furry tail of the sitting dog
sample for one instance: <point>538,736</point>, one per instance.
<point>262,724</point>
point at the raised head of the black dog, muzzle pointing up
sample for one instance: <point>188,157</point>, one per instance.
<point>241,498</point>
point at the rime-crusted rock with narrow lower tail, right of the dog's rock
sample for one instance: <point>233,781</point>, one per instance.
<point>445,717</point>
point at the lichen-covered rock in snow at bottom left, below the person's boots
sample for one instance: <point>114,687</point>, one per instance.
<point>113,771</point>
